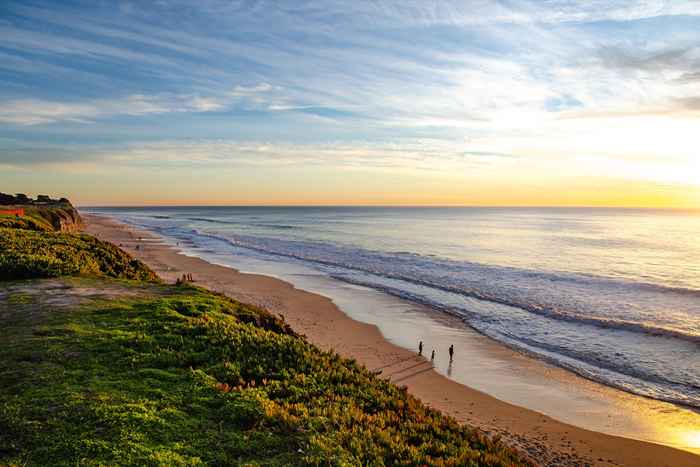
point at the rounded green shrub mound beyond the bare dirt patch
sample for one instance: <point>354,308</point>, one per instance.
<point>26,254</point>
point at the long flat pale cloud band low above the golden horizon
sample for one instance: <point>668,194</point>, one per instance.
<point>418,154</point>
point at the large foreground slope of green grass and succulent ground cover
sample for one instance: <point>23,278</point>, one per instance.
<point>189,377</point>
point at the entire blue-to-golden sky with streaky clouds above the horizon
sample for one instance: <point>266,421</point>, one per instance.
<point>409,102</point>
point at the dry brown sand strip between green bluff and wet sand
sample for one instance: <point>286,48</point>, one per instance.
<point>545,439</point>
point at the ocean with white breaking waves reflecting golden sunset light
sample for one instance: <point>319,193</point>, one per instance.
<point>610,294</point>
